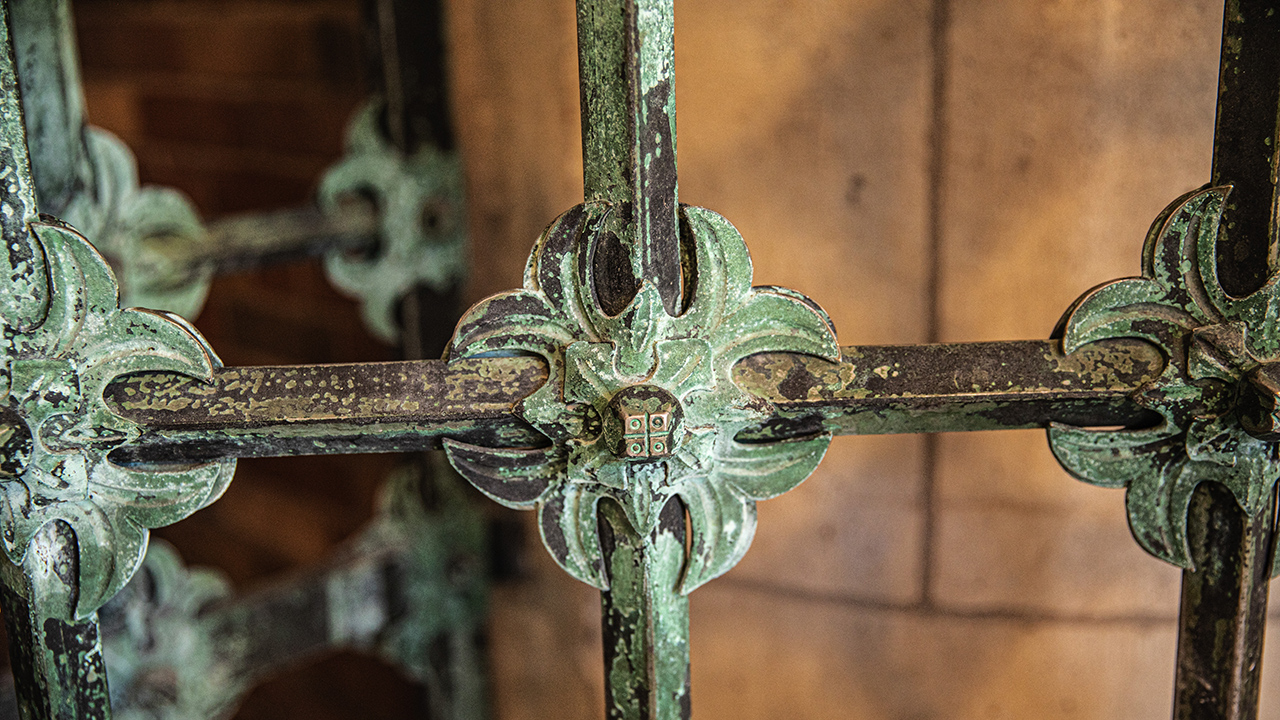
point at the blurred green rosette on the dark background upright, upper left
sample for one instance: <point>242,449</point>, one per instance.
<point>420,202</point>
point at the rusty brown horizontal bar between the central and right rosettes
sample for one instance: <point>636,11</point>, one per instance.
<point>927,389</point>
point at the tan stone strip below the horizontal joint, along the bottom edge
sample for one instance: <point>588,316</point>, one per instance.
<point>824,660</point>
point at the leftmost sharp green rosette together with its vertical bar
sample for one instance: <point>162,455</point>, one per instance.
<point>75,525</point>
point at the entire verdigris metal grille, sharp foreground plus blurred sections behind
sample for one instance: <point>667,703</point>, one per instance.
<point>638,393</point>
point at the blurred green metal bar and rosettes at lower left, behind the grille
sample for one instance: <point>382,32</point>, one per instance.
<point>180,646</point>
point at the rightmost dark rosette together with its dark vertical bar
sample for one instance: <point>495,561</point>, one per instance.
<point>1203,482</point>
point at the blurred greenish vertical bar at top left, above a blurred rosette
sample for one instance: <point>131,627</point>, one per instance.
<point>49,79</point>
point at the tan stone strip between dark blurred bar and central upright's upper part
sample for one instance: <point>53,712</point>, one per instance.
<point>515,83</point>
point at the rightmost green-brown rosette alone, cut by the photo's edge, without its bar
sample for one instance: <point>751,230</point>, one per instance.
<point>1215,397</point>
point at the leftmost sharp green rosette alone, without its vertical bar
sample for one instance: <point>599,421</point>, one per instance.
<point>65,340</point>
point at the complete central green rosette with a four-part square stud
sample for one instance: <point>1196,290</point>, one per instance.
<point>641,407</point>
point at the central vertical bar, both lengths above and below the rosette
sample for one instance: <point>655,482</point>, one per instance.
<point>627,62</point>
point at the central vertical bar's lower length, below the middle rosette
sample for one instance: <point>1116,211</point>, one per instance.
<point>646,618</point>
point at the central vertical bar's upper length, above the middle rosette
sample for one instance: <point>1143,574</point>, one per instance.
<point>627,61</point>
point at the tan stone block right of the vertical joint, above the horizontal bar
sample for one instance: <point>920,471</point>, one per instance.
<point>1071,126</point>
